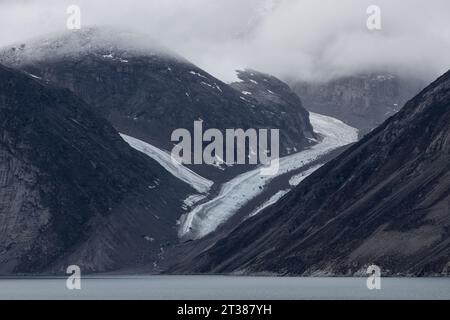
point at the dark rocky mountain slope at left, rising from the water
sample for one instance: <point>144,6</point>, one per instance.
<point>71,190</point>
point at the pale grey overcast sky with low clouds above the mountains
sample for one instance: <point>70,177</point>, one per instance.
<point>305,39</point>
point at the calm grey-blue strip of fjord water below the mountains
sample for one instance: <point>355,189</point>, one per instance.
<point>223,288</point>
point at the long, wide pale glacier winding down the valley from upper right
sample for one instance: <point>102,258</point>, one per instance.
<point>206,217</point>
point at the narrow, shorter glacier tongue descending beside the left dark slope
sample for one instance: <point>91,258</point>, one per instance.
<point>199,183</point>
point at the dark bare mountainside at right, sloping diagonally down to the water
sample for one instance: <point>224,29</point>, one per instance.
<point>384,201</point>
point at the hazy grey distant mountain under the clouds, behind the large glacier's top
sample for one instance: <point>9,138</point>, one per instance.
<point>363,101</point>
